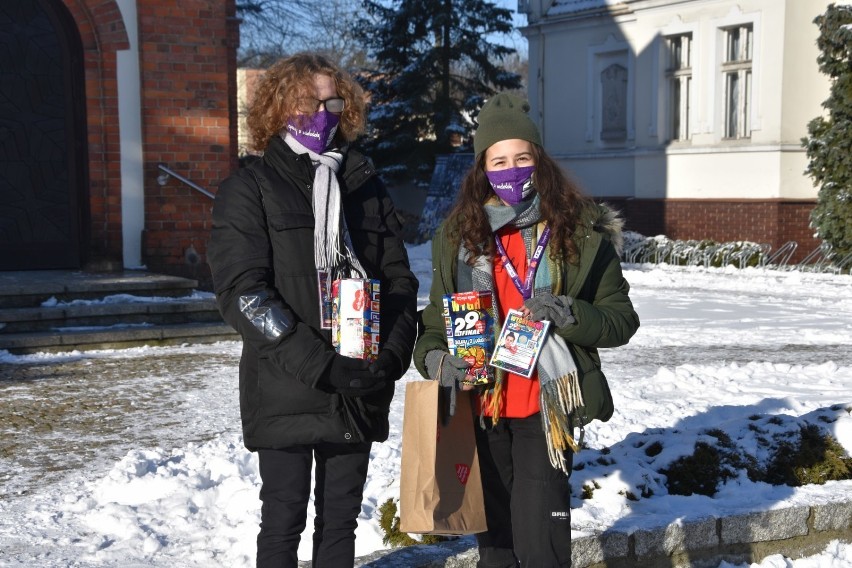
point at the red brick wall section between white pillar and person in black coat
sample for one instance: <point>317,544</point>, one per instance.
<point>188,61</point>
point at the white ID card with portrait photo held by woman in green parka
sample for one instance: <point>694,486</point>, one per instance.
<point>519,344</point>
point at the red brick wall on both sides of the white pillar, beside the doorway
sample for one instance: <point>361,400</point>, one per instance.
<point>188,66</point>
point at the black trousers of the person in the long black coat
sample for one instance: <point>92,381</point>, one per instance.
<point>341,471</point>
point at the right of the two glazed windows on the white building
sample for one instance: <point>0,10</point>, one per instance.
<point>736,72</point>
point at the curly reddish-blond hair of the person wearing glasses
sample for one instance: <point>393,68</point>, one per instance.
<point>285,82</point>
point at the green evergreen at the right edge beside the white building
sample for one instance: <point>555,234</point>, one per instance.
<point>829,146</point>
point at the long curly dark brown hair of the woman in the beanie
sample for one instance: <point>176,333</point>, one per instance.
<point>562,202</point>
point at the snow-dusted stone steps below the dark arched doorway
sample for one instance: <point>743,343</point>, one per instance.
<point>63,310</point>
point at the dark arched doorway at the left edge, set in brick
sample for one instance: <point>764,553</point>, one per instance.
<point>43,175</point>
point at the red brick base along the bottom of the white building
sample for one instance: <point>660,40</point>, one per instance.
<point>771,221</point>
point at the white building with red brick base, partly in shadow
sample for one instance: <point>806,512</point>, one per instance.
<point>687,114</point>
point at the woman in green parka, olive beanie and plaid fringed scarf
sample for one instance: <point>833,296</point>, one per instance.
<point>524,230</point>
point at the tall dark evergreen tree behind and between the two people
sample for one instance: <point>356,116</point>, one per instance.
<point>435,65</point>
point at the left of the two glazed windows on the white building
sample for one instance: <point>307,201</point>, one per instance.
<point>679,78</point>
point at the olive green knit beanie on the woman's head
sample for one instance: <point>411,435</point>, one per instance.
<point>504,117</point>
